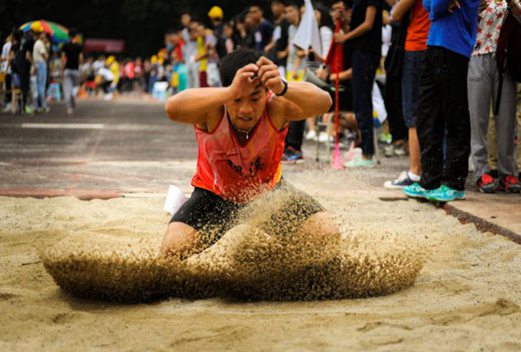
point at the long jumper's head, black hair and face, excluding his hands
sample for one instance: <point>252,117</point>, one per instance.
<point>246,111</point>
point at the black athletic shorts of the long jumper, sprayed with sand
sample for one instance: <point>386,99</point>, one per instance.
<point>278,212</point>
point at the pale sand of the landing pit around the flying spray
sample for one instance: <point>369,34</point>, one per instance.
<point>467,297</point>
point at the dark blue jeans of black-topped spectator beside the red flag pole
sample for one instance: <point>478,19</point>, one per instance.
<point>364,71</point>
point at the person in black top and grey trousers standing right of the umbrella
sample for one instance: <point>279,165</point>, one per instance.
<point>72,54</point>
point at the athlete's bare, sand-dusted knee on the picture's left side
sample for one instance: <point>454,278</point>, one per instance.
<point>181,241</point>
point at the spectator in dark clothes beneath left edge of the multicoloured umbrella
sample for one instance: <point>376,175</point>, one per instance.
<point>23,63</point>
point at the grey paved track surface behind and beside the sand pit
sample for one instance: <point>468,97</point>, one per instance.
<point>129,147</point>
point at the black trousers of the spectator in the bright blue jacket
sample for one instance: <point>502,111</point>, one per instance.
<point>443,106</point>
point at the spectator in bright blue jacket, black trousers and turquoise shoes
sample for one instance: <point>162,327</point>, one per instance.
<point>443,111</point>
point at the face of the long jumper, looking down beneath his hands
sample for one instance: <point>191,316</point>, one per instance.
<point>247,111</point>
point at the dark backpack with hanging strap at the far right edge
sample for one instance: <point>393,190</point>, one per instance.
<point>508,53</point>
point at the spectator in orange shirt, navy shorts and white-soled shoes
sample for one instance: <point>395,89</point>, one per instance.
<point>413,60</point>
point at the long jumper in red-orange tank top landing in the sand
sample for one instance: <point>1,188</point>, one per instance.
<point>240,130</point>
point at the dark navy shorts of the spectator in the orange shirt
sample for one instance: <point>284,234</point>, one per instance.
<point>411,74</point>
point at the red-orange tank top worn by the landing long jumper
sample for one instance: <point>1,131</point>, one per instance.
<point>236,172</point>
